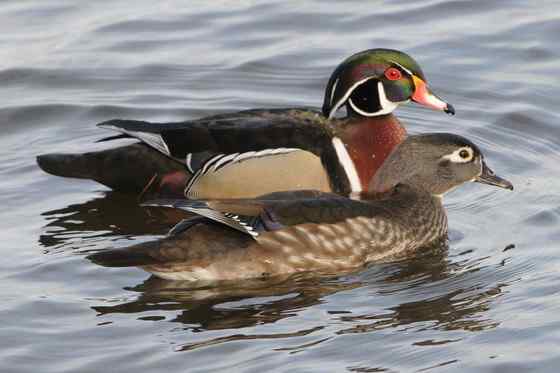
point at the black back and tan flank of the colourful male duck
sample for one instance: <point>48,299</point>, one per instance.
<point>282,149</point>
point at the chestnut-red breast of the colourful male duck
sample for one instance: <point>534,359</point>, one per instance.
<point>369,141</point>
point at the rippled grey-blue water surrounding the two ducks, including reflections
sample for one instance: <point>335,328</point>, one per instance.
<point>66,65</point>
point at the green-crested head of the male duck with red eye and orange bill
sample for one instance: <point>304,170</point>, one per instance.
<point>376,81</point>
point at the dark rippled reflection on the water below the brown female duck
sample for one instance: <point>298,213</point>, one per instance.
<point>463,303</point>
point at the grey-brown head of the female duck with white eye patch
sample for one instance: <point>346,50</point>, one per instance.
<point>437,163</point>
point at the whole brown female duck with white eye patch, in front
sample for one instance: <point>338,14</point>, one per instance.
<point>313,231</point>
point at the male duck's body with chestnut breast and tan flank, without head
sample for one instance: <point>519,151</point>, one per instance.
<point>276,149</point>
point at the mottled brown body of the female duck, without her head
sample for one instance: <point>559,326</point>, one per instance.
<point>322,235</point>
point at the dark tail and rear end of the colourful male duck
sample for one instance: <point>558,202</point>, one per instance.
<point>127,168</point>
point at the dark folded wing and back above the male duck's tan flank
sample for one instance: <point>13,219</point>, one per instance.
<point>241,132</point>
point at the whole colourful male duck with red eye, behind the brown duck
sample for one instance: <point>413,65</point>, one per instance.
<point>254,152</point>
